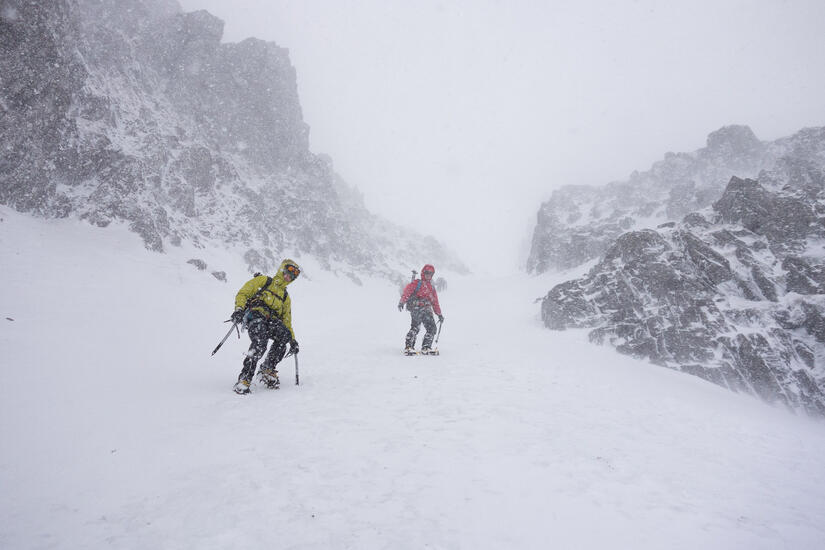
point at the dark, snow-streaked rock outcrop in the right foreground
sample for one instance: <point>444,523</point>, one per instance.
<point>734,294</point>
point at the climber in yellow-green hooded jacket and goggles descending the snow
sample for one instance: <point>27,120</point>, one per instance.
<point>265,310</point>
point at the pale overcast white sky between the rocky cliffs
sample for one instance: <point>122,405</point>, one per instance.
<point>459,117</point>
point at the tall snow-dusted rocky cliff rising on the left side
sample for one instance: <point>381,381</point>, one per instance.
<point>133,111</point>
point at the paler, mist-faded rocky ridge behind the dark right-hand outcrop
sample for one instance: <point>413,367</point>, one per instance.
<point>580,223</point>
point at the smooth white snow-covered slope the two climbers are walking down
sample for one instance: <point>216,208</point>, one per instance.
<point>118,430</point>
